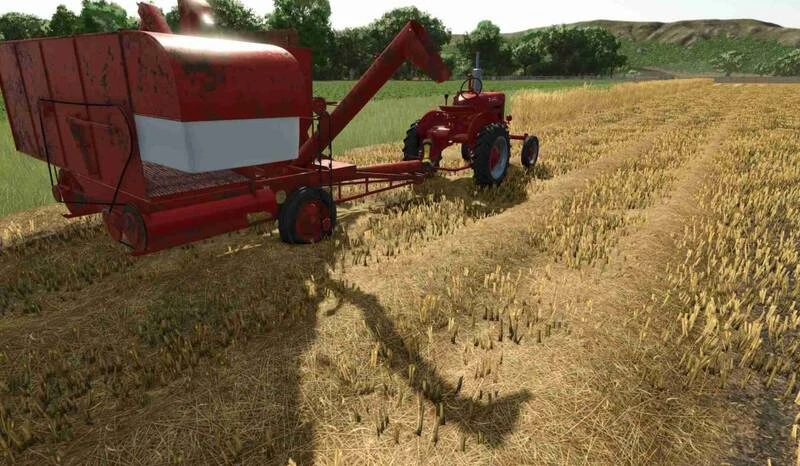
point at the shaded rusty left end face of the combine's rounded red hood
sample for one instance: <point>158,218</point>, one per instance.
<point>152,85</point>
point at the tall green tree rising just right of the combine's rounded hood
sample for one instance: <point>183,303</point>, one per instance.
<point>312,21</point>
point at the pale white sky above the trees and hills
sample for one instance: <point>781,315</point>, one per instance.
<point>510,15</point>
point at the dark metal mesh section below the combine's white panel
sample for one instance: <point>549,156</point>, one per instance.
<point>165,181</point>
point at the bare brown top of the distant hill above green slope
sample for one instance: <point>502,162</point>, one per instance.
<point>689,32</point>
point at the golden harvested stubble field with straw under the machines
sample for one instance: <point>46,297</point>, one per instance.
<point>632,300</point>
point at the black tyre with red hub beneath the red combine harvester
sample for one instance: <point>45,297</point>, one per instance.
<point>307,216</point>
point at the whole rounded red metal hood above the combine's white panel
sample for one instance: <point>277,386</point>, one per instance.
<point>189,78</point>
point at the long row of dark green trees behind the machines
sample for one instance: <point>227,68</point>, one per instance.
<point>347,53</point>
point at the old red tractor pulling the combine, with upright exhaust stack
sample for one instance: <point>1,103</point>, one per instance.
<point>477,121</point>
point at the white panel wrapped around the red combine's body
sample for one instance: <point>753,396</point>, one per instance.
<point>202,146</point>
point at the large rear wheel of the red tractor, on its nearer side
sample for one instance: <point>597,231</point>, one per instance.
<point>491,155</point>
